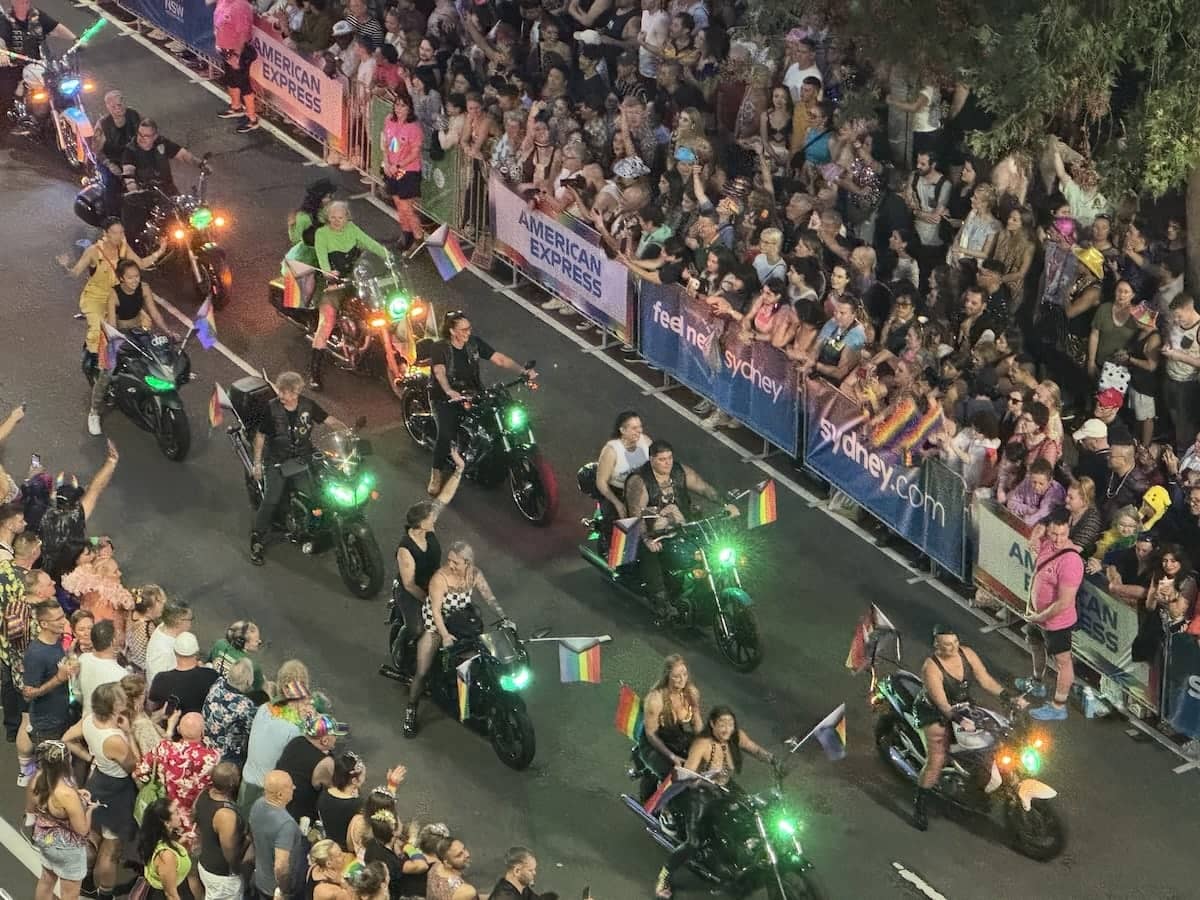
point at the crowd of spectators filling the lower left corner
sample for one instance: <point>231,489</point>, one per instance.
<point>154,767</point>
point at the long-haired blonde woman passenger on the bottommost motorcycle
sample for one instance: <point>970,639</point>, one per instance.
<point>671,719</point>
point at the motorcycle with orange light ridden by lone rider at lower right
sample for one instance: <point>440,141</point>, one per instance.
<point>991,772</point>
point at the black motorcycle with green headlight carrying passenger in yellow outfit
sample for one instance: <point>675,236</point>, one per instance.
<point>151,370</point>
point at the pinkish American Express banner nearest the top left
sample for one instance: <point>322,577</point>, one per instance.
<point>310,98</point>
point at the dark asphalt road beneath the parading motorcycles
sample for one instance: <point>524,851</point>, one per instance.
<point>185,525</point>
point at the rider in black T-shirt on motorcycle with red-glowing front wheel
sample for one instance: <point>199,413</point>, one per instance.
<point>454,363</point>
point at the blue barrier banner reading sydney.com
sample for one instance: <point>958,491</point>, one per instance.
<point>925,505</point>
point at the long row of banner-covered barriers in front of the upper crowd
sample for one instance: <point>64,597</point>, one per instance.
<point>925,502</point>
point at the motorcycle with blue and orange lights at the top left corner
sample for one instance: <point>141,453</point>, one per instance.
<point>50,105</point>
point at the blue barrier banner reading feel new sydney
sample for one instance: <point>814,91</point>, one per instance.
<point>752,381</point>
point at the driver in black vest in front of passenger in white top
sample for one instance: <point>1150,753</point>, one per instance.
<point>665,488</point>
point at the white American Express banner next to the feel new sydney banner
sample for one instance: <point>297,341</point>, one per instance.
<point>565,256</point>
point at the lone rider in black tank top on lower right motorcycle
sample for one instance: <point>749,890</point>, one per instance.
<point>947,675</point>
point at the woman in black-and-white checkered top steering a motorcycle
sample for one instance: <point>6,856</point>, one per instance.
<point>449,613</point>
